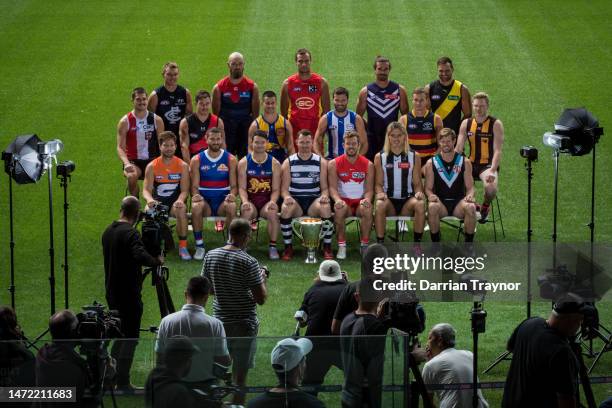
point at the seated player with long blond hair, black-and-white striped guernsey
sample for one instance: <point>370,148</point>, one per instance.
<point>398,183</point>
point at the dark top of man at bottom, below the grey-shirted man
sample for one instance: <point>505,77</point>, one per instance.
<point>165,389</point>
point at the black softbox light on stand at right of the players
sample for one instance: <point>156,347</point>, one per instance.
<point>581,127</point>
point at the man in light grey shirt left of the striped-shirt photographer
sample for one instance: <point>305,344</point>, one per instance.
<point>205,331</point>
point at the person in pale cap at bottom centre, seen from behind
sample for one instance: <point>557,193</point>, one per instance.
<point>289,362</point>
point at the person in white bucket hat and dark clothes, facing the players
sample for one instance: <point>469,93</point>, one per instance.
<point>319,305</point>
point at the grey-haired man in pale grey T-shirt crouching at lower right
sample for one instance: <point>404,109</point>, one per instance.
<point>448,365</point>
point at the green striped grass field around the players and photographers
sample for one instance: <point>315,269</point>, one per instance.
<point>69,68</point>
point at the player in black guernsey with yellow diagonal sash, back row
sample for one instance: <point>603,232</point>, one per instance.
<point>449,97</point>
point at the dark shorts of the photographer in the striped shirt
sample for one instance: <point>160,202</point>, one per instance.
<point>241,343</point>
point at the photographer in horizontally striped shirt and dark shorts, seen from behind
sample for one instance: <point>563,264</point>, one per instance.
<point>239,285</point>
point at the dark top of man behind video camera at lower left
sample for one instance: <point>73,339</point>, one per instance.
<point>59,365</point>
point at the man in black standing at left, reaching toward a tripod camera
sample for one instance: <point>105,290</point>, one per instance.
<point>124,256</point>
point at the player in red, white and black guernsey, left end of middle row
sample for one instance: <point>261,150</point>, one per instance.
<point>137,139</point>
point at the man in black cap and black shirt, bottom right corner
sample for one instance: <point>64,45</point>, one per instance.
<point>544,369</point>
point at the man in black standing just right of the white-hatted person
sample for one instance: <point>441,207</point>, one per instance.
<point>363,357</point>
